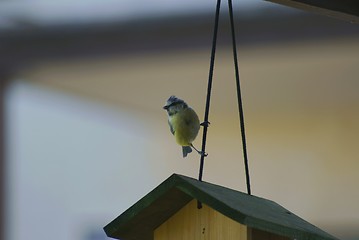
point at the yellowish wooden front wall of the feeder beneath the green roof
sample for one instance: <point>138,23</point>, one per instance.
<point>191,223</point>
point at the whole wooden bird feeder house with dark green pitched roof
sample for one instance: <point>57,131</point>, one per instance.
<point>170,212</point>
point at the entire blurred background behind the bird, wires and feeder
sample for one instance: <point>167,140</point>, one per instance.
<point>85,136</point>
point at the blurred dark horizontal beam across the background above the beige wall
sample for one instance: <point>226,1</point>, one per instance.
<point>23,47</point>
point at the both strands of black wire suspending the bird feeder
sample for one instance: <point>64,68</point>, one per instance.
<point>239,96</point>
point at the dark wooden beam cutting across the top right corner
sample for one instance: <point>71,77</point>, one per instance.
<point>347,10</point>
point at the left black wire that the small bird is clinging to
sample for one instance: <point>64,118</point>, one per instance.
<point>209,89</point>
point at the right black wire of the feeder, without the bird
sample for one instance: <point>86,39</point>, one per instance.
<point>239,97</point>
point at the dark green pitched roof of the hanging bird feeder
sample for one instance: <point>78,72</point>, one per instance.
<point>140,220</point>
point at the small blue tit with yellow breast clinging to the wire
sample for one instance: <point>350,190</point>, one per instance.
<point>184,123</point>
